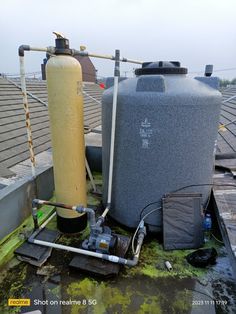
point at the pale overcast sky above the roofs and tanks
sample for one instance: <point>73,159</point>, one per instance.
<point>194,32</point>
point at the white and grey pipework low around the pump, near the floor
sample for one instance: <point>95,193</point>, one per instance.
<point>81,209</point>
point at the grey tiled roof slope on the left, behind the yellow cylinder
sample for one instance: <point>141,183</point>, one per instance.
<point>13,139</point>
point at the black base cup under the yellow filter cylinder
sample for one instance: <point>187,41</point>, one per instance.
<point>72,225</point>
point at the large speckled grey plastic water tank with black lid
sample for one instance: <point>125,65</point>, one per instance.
<point>166,131</point>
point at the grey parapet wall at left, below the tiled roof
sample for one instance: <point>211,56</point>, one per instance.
<point>16,199</point>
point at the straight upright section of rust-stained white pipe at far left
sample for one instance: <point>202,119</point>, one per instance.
<point>27,115</point>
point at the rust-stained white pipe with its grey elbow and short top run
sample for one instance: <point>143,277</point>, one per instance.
<point>21,52</point>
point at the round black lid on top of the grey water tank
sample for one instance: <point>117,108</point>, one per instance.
<point>161,67</point>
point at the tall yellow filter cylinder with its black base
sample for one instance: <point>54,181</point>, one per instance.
<point>65,104</point>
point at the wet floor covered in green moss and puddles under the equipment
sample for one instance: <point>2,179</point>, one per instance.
<point>146,288</point>
